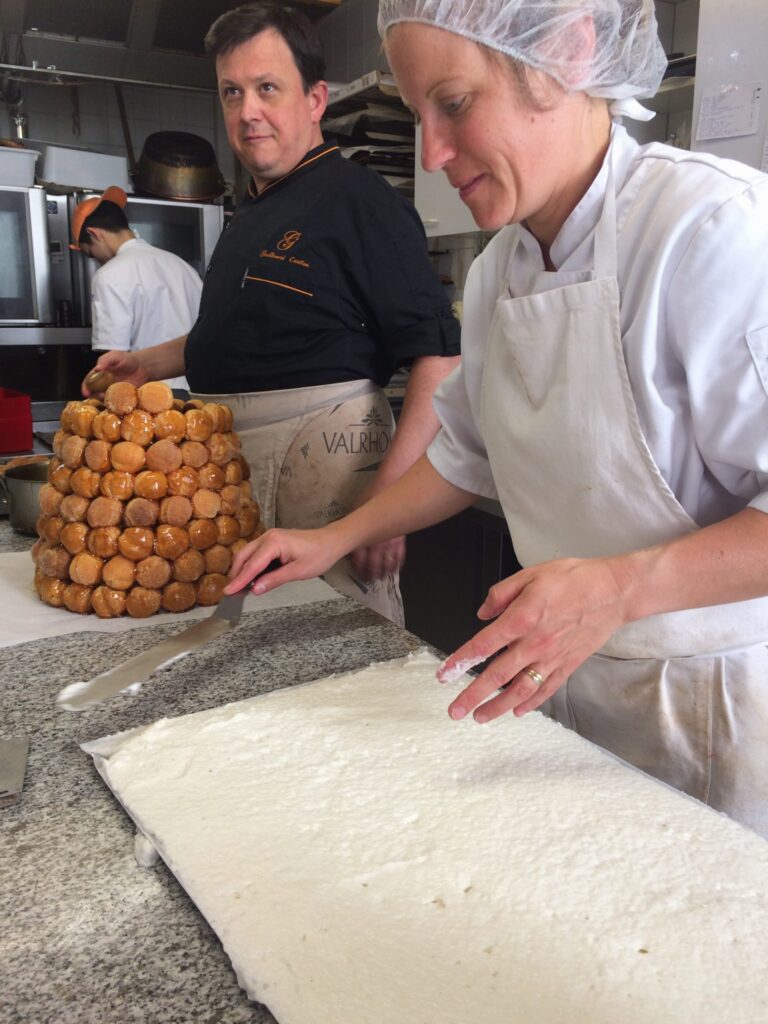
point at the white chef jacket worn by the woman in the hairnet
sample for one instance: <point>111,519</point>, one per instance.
<point>693,237</point>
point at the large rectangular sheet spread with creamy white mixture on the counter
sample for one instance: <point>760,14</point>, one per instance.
<point>366,861</point>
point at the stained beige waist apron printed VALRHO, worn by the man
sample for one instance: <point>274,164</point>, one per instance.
<point>313,451</point>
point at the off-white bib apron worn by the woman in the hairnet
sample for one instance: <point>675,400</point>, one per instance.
<point>684,696</point>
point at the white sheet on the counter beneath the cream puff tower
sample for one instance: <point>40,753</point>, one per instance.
<point>24,617</point>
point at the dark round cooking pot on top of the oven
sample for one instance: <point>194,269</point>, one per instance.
<point>179,165</point>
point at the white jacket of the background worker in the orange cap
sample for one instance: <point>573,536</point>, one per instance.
<point>142,297</point>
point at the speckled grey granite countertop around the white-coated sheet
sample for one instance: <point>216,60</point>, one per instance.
<point>89,935</point>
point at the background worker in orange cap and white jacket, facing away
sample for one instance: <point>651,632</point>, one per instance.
<point>142,295</point>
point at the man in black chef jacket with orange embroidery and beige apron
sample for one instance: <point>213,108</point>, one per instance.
<point>320,288</point>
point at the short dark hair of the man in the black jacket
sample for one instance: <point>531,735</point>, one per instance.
<point>236,27</point>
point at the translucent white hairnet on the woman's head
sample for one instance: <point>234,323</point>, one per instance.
<point>628,59</point>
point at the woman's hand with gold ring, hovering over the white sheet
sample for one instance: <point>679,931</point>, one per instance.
<point>549,620</point>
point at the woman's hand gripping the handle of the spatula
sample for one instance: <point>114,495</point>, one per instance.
<point>305,554</point>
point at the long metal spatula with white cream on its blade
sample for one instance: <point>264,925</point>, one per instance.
<point>80,697</point>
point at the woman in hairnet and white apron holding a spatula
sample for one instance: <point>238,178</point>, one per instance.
<point>614,395</point>
